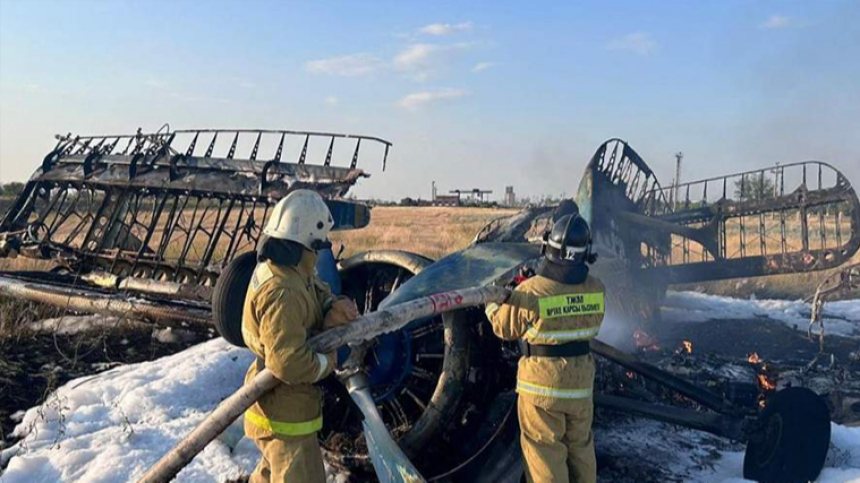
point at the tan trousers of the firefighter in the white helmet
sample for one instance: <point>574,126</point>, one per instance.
<point>290,459</point>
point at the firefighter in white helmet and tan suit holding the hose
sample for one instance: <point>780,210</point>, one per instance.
<point>286,303</point>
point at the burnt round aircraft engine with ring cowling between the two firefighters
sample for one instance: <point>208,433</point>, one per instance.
<point>441,387</point>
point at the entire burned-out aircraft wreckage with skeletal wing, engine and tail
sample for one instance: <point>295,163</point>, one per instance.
<point>163,226</point>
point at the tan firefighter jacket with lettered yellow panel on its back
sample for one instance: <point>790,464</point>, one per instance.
<point>545,312</point>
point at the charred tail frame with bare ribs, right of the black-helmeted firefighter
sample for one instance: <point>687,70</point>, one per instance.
<point>786,219</point>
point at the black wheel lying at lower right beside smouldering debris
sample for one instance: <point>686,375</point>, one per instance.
<point>792,441</point>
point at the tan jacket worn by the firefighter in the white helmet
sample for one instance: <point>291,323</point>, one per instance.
<point>284,306</point>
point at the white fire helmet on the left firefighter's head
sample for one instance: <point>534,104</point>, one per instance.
<point>303,217</point>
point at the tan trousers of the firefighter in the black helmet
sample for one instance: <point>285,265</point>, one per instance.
<point>557,445</point>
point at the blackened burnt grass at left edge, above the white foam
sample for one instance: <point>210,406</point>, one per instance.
<point>32,364</point>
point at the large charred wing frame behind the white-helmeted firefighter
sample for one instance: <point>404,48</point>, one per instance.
<point>174,206</point>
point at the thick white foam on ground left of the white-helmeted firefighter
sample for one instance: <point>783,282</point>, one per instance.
<point>111,427</point>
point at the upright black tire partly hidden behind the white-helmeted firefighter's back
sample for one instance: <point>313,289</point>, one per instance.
<point>228,298</point>
